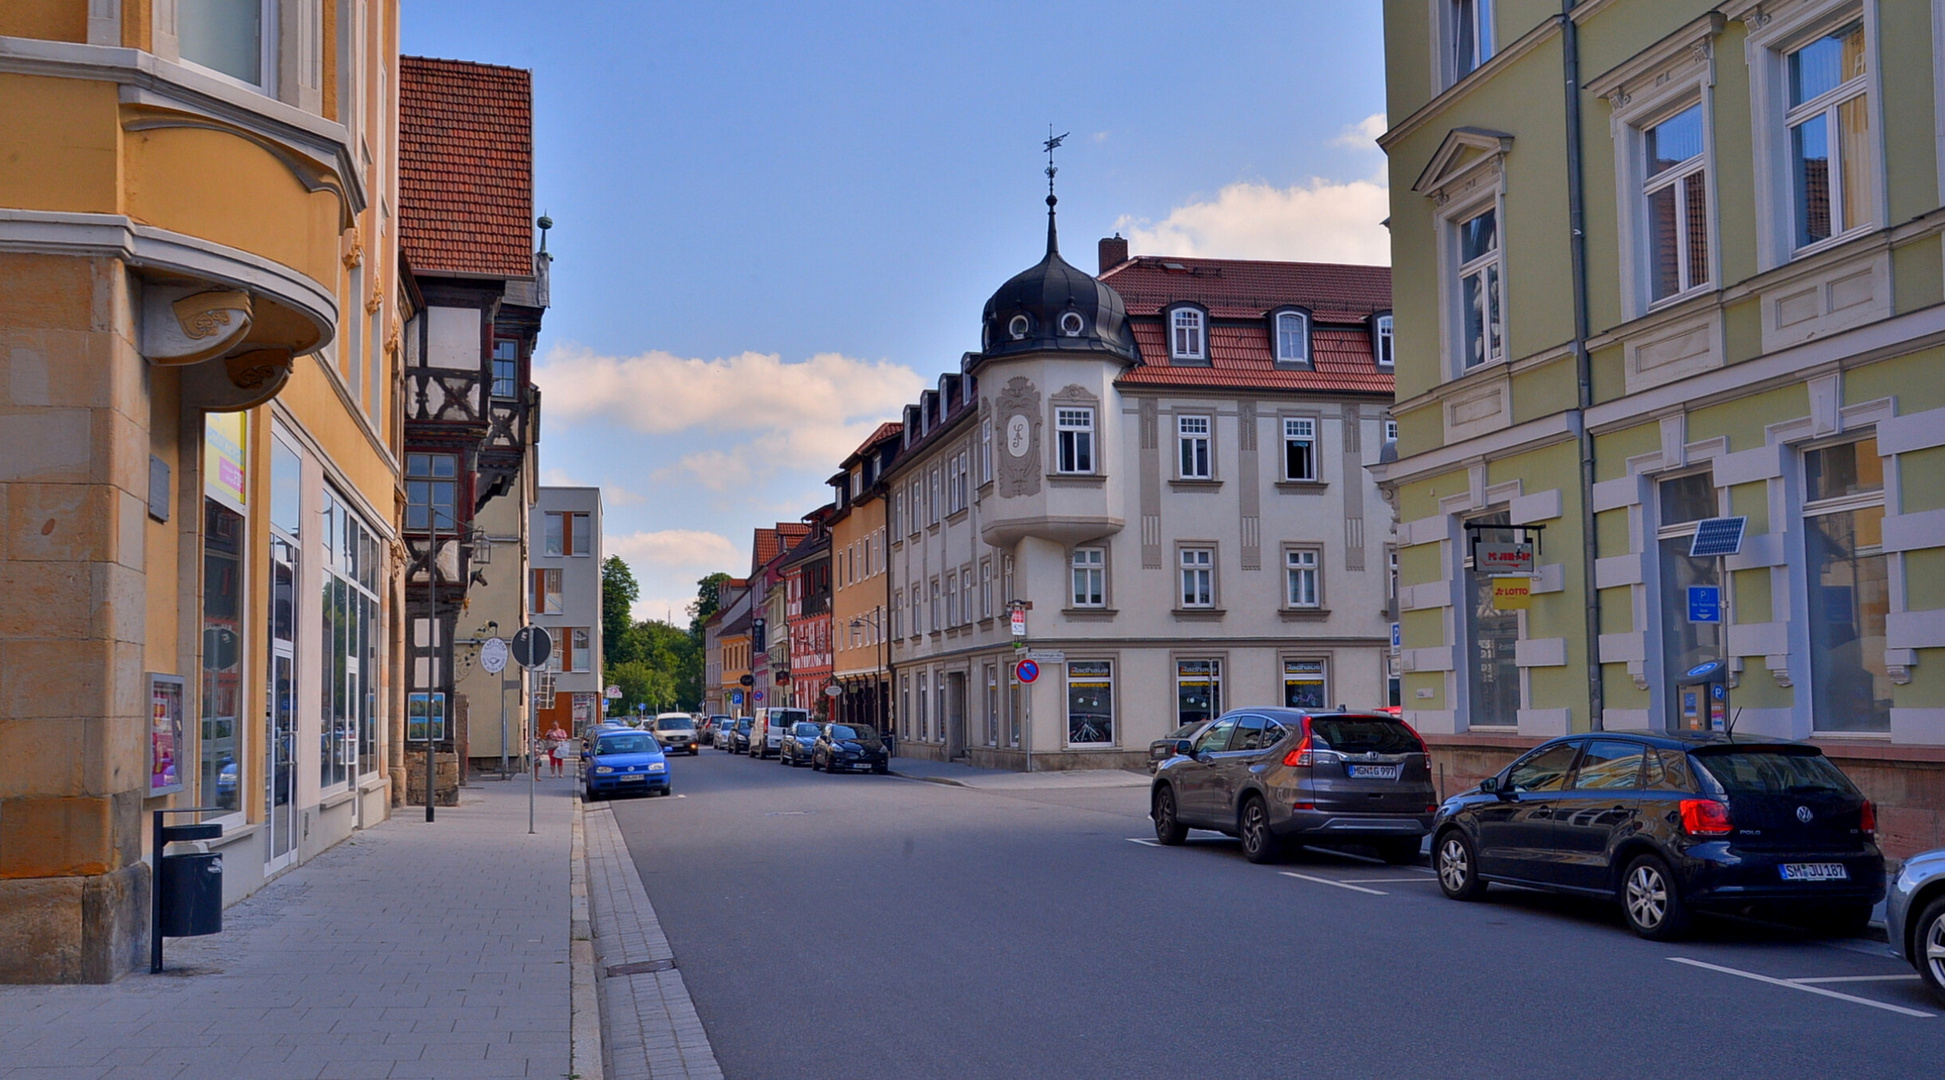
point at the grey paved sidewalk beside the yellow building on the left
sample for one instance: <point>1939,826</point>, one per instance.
<point>407,951</point>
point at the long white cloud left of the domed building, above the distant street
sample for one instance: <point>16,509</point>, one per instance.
<point>812,412</point>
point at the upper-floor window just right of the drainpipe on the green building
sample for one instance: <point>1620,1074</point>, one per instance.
<point>1678,205</point>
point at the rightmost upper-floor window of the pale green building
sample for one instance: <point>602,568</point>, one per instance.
<point>1829,122</point>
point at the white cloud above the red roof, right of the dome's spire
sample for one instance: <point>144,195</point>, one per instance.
<point>1318,223</point>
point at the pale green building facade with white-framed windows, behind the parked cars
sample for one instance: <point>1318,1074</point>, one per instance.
<point>1660,264</point>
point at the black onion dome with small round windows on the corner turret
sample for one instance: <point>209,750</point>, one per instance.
<point>1055,308</point>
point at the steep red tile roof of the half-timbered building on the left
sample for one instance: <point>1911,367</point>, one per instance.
<point>466,168</point>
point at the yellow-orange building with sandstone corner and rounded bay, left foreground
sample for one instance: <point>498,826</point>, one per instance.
<point>199,439</point>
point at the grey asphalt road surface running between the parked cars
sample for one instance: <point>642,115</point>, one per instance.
<point>874,927</point>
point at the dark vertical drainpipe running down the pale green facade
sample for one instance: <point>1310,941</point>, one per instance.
<point>1582,359</point>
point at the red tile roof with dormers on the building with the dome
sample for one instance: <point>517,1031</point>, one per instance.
<point>1240,297</point>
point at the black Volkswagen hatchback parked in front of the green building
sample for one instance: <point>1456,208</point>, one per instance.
<point>1672,824</point>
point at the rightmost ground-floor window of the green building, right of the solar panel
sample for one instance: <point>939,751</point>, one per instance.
<point>1849,587</point>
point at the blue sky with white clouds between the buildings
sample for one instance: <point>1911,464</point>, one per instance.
<point>777,223</point>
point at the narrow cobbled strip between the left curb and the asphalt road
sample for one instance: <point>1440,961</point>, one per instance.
<point>649,1023</point>
